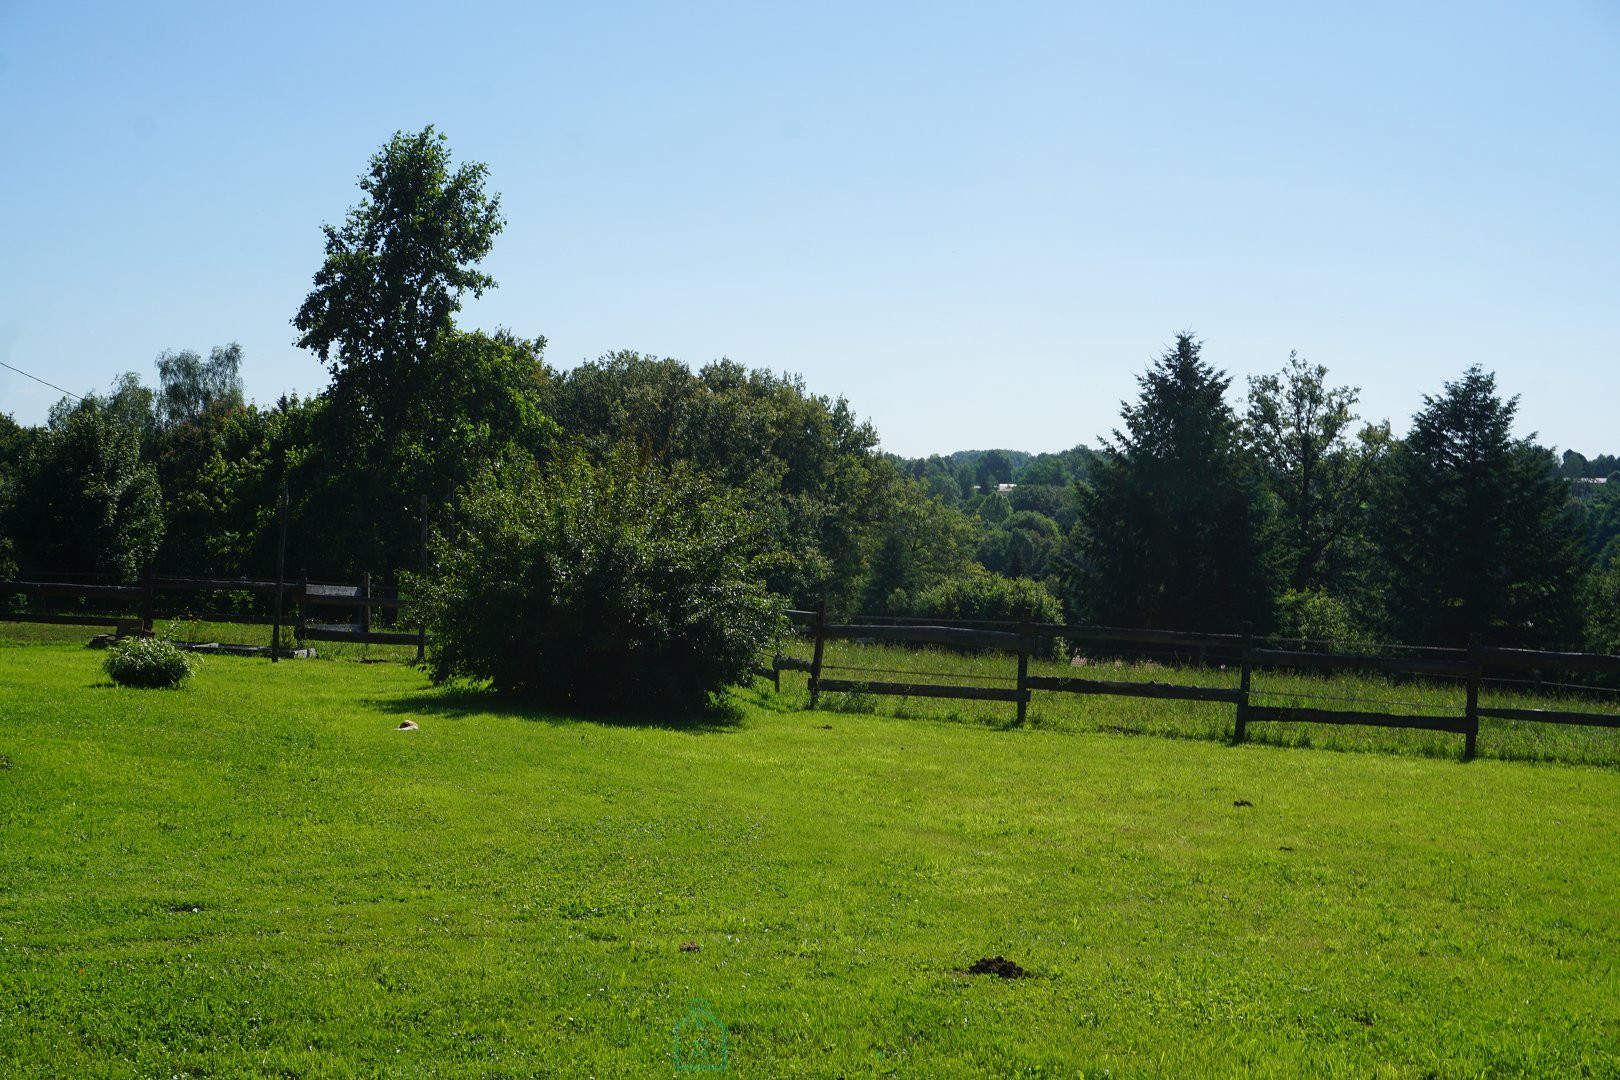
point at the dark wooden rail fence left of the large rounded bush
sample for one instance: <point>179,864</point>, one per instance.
<point>156,598</point>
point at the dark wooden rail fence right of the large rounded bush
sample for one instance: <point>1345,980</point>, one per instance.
<point>1023,640</point>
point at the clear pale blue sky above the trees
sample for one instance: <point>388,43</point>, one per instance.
<point>978,223</point>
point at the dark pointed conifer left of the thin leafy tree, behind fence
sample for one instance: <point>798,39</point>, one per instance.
<point>1170,530</point>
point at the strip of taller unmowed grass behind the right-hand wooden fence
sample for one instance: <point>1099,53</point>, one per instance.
<point>1506,704</point>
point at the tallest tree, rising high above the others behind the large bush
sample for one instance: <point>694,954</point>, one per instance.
<point>417,407</point>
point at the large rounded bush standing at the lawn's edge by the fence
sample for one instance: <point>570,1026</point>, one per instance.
<point>613,585</point>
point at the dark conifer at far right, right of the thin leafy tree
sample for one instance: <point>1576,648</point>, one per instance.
<point>1478,532</point>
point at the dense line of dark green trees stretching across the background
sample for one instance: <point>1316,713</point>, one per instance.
<point>1282,509</point>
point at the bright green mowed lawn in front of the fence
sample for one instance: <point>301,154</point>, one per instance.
<point>258,877</point>
